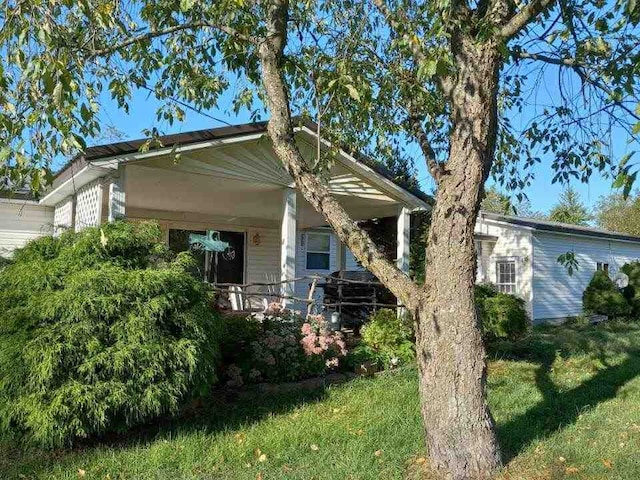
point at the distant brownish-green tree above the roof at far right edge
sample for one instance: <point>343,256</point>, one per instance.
<point>619,214</point>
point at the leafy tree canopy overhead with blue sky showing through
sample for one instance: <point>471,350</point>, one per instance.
<point>373,73</point>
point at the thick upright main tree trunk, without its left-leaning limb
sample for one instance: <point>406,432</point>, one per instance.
<point>451,356</point>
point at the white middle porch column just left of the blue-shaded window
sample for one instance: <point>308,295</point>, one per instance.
<point>288,244</point>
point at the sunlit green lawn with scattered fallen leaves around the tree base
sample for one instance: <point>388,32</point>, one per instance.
<point>566,400</point>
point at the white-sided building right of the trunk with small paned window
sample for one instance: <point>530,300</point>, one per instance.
<point>520,256</point>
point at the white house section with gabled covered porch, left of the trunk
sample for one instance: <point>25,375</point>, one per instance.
<point>225,179</point>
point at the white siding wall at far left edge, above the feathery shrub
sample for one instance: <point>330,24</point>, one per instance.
<point>21,222</point>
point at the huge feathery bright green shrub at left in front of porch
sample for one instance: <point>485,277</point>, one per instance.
<point>99,330</point>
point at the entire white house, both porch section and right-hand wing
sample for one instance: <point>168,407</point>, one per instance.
<point>229,180</point>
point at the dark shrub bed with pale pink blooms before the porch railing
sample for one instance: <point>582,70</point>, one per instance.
<point>279,345</point>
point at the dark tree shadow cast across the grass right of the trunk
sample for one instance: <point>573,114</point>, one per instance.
<point>559,409</point>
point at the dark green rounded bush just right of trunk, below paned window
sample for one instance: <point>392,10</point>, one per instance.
<point>502,316</point>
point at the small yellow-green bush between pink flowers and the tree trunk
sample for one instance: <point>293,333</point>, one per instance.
<point>387,339</point>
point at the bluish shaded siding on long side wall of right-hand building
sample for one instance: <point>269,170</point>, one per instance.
<point>557,295</point>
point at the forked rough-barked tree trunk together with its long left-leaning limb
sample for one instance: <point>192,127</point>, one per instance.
<point>451,357</point>
